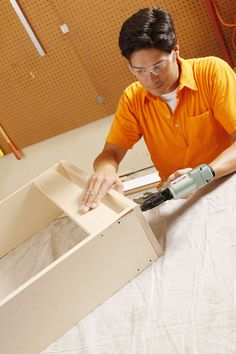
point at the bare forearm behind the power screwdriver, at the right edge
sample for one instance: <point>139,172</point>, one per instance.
<point>225,163</point>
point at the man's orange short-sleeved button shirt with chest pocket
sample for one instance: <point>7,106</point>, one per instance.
<point>198,130</point>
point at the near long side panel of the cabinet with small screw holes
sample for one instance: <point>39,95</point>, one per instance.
<point>63,293</point>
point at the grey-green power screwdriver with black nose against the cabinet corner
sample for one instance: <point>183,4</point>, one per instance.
<point>183,185</point>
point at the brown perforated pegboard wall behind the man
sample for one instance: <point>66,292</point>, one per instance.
<point>82,74</point>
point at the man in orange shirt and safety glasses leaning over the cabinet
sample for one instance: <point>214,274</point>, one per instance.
<point>184,109</point>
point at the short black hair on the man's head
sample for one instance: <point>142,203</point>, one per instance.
<point>148,28</point>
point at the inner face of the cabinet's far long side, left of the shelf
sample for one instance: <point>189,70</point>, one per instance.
<point>22,215</point>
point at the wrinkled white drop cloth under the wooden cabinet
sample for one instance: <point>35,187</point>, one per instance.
<point>184,303</point>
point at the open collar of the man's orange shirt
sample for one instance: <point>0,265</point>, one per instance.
<point>186,79</point>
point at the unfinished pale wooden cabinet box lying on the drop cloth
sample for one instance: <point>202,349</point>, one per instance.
<point>118,244</point>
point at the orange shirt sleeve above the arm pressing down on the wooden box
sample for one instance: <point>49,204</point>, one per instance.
<point>125,130</point>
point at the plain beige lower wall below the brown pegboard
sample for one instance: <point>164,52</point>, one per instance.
<point>79,146</point>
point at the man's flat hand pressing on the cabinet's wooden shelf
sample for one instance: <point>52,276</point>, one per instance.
<point>98,185</point>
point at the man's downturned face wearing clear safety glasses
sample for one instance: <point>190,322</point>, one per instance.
<point>156,70</point>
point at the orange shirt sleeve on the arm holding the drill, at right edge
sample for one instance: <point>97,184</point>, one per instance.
<point>224,95</point>
